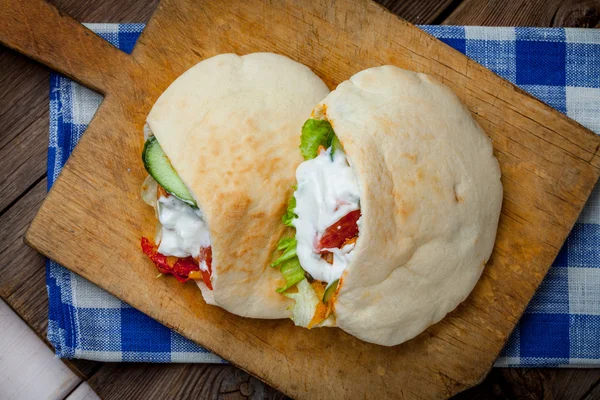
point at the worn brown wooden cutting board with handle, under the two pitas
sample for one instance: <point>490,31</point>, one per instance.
<point>93,218</point>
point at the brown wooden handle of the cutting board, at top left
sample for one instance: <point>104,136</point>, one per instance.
<point>42,32</point>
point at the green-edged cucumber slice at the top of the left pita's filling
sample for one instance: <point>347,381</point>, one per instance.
<point>158,165</point>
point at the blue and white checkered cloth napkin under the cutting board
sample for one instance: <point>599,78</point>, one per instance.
<point>561,325</point>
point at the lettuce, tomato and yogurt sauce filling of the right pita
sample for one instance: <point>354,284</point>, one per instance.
<point>325,211</point>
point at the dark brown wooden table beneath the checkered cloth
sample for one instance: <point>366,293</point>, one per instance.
<point>23,145</point>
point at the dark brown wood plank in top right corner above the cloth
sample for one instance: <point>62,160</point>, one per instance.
<point>526,13</point>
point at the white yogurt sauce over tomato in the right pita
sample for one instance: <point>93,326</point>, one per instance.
<point>327,191</point>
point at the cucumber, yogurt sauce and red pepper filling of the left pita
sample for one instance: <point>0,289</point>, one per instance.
<point>181,246</point>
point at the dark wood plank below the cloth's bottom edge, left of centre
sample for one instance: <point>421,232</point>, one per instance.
<point>178,381</point>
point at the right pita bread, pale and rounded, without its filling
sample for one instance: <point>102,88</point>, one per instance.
<point>430,202</point>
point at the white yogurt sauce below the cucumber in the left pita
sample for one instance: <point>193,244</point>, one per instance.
<point>184,231</point>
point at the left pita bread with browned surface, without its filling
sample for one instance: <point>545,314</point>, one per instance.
<point>229,126</point>
